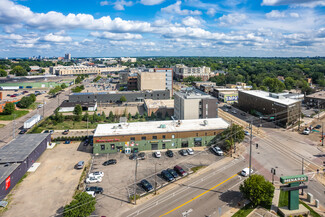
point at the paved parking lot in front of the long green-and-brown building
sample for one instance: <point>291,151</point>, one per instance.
<point>118,181</point>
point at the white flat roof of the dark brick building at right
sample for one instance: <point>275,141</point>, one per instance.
<point>266,95</point>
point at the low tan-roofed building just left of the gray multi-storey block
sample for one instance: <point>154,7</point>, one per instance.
<point>159,107</point>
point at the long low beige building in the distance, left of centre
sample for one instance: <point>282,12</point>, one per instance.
<point>80,70</point>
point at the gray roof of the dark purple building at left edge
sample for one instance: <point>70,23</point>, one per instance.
<point>20,148</point>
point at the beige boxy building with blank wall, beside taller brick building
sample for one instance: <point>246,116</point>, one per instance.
<point>151,81</point>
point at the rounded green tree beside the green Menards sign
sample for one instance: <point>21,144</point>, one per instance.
<point>258,190</point>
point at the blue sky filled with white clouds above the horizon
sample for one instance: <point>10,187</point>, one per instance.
<point>109,28</point>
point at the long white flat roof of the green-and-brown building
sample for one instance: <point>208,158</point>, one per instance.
<point>150,127</point>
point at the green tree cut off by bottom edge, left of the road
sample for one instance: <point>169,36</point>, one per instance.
<point>82,205</point>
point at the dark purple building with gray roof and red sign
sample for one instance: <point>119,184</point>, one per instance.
<point>18,156</point>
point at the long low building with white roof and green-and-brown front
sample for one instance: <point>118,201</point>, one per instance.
<point>156,135</point>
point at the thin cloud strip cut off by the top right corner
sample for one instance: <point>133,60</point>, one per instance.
<point>302,3</point>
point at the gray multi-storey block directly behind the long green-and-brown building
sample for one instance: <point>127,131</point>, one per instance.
<point>194,104</point>
